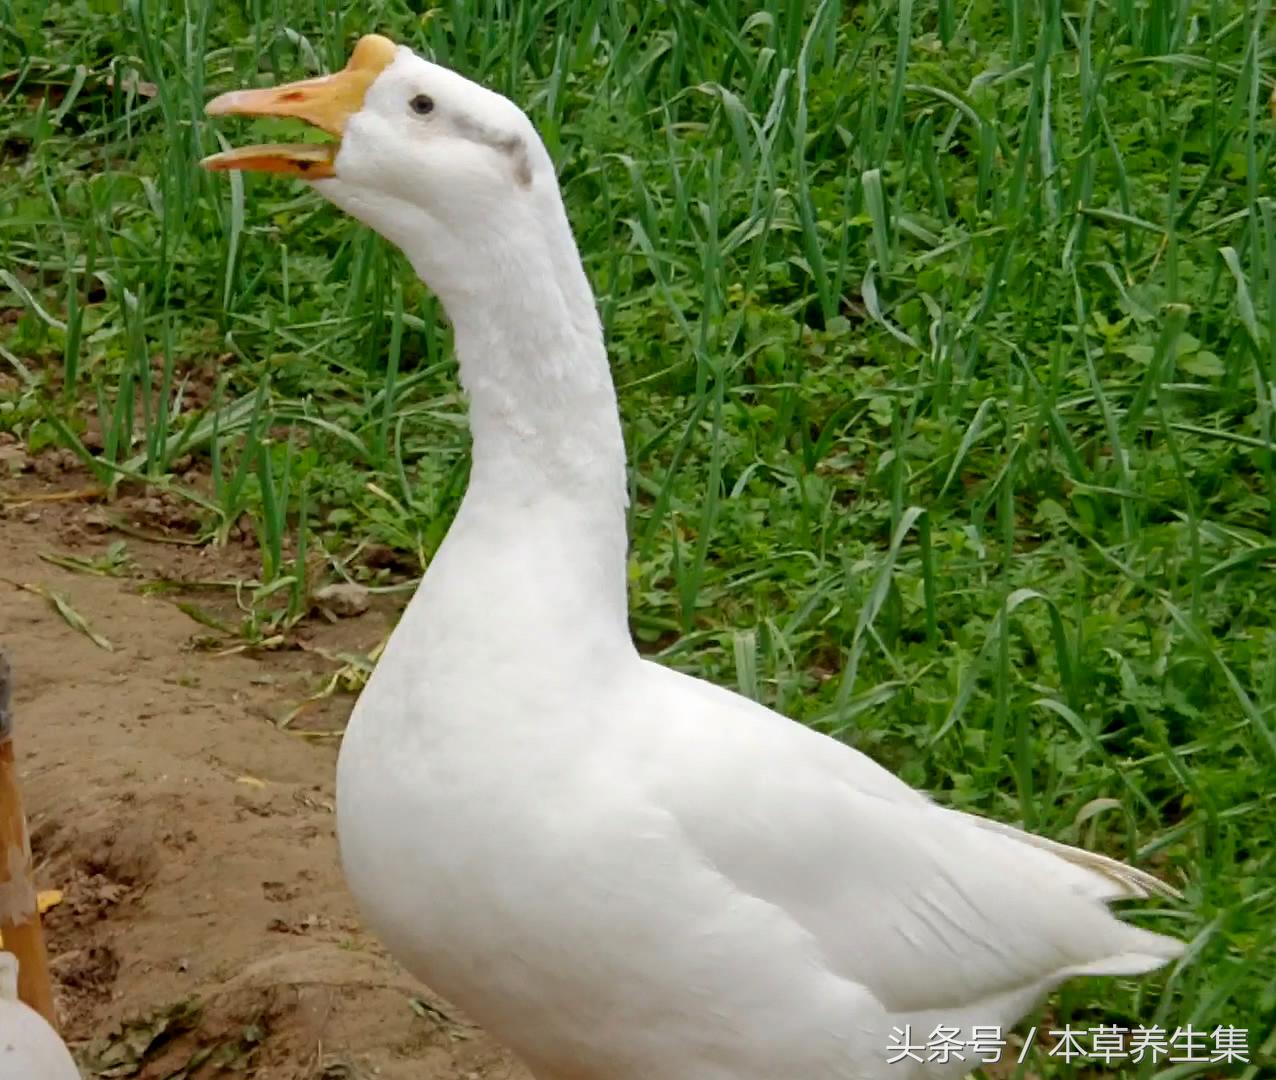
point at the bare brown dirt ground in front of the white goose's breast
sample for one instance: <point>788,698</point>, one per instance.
<point>206,929</point>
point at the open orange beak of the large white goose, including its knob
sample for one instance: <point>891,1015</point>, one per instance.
<point>327,104</point>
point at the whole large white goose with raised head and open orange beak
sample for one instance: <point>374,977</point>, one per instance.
<point>623,873</point>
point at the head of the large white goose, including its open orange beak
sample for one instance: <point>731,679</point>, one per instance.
<point>443,168</point>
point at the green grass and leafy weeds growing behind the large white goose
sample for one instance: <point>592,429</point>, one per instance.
<point>946,340</point>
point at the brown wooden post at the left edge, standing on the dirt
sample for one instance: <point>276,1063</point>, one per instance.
<point>20,911</point>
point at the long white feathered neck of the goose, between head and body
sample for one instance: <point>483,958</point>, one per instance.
<point>545,511</point>
